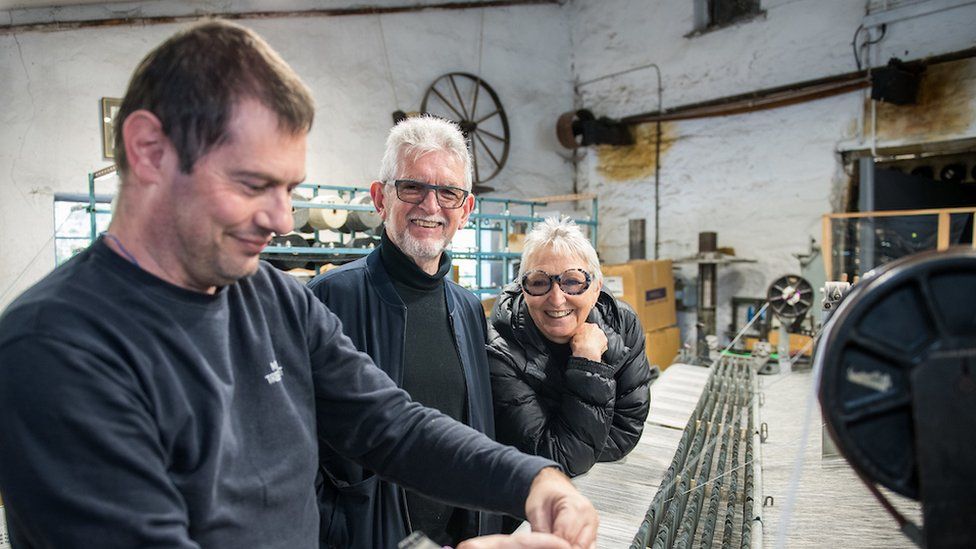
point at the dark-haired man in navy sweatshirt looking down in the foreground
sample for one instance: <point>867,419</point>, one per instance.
<point>166,388</point>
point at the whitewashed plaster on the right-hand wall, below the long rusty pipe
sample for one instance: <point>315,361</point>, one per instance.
<point>762,181</point>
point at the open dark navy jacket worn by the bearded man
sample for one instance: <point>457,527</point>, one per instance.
<point>358,510</point>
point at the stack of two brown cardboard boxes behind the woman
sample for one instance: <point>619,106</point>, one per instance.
<point>648,287</point>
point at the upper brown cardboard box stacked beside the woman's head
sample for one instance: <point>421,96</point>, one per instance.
<point>648,287</point>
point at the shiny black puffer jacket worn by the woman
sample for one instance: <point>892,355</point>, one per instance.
<point>576,412</point>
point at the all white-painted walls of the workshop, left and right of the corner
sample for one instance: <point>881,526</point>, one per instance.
<point>760,180</point>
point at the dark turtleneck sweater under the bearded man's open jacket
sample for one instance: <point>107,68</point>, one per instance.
<point>432,373</point>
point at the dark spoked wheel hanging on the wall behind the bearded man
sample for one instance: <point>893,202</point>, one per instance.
<point>474,105</point>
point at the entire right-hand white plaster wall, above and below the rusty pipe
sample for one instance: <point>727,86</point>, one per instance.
<point>761,180</point>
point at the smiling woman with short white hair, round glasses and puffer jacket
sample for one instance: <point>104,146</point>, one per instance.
<point>568,371</point>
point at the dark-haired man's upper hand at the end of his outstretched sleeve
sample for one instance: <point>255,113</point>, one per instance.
<point>554,506</point>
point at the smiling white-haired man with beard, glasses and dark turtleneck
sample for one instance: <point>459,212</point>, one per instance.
<point>427,333</point>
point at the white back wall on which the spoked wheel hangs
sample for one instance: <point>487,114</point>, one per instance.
<point>53,81</point>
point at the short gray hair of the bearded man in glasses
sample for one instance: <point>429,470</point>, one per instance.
<point>418,135</point>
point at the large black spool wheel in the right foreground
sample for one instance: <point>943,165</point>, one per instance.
<point>911,322</point>
